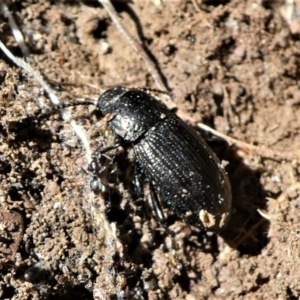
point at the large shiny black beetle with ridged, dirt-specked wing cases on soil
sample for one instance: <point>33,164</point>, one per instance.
<point>180,167</point>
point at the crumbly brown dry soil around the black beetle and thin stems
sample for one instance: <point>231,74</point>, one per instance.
<point>233,65</point>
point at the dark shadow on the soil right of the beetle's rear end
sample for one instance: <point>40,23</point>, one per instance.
<point>247,230</point>
